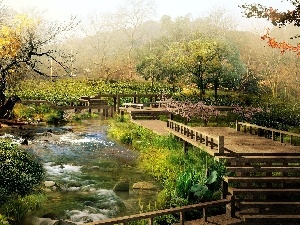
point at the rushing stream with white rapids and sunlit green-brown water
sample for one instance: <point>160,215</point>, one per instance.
<point>85,165</point>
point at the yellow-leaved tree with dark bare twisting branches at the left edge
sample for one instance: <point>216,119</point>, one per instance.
<point>27,42</point>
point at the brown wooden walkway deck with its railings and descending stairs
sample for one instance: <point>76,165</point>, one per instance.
<point>262,185</point>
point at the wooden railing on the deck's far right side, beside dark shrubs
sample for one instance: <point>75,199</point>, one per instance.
<point>266,132</point>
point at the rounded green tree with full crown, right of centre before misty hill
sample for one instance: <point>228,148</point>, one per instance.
<point>209,61</point>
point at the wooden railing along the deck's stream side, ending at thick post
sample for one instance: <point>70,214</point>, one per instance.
<point>201,137</point>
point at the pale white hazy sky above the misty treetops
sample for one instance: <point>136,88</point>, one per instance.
<point>62,9</point>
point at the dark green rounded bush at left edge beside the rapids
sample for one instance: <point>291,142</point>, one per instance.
<point>20,172</point>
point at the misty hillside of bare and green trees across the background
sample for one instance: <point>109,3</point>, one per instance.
<point>129,44</point>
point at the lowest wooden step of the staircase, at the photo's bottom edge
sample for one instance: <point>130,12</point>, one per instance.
<point>272,219</point>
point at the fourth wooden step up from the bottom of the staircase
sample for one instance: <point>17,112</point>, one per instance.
<point>262,179</point>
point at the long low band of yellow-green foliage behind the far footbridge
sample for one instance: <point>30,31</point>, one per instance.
<point>67,90</point>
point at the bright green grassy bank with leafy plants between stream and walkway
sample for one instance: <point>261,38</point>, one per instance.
<point>186,178</point>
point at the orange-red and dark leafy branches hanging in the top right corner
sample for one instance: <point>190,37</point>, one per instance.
<point>277,18</point>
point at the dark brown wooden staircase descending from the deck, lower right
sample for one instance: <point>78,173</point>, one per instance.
<point>265,189</point>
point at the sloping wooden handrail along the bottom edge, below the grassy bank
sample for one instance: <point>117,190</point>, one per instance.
<point>151,215</point>
